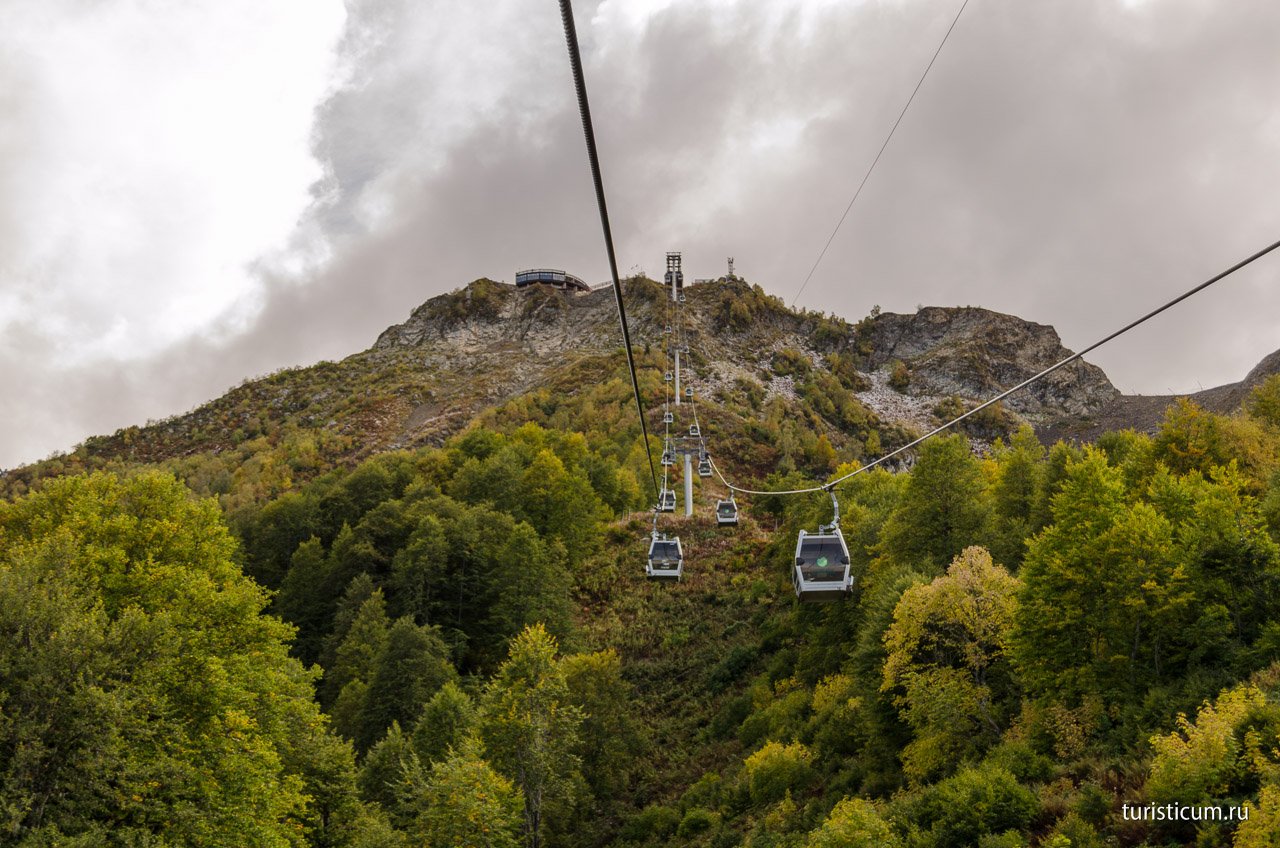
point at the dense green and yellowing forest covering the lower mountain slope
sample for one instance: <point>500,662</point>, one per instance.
<point>456,646</point>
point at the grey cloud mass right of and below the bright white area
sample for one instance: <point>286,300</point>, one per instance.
<point>1068,162</point>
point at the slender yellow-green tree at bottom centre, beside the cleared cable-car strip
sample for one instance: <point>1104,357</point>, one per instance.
<point>532,731</point>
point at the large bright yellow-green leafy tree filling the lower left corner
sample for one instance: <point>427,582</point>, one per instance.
<point>147,696</point>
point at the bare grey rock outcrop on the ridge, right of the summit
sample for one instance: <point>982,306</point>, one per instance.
<point>976,353</point>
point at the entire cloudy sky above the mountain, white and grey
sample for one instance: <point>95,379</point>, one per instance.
<point>193,194</point>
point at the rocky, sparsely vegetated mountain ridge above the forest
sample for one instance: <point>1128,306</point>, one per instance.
<point>488,344</point>
